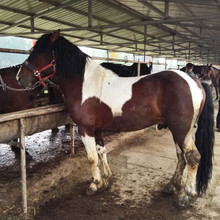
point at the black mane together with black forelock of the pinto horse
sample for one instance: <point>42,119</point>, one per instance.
<point>70,60</point>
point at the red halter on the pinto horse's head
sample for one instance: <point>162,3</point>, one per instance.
<point>37,73</point>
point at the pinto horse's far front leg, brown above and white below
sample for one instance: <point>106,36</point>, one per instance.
<point>102,153</point>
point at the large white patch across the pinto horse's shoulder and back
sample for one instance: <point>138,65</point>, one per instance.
<point>110,89</point>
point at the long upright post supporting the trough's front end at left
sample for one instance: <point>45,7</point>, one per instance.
<point>23,165</point>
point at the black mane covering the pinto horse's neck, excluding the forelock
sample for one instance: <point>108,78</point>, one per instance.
<point>70,60</point>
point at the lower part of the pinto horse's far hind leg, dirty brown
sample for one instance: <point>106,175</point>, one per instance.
<point>176,181</point>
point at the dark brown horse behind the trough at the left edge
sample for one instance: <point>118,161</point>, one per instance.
<point>14,97</point>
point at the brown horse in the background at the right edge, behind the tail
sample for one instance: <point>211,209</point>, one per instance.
<point>214,74</point>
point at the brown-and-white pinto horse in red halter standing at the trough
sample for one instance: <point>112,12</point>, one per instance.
<point>99,100</point>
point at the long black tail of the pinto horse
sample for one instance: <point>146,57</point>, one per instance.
<point>205,141</point>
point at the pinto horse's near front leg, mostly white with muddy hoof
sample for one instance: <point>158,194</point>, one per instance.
<point>88,139</point>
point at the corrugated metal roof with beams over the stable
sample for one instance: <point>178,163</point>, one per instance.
<point>181,28</point>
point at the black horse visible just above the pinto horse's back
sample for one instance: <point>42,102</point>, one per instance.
<point>128,71</point>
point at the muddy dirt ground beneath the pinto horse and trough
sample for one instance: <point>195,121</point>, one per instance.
<point>142,163</point>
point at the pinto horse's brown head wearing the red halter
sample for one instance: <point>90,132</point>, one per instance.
<point>40,65</point>
